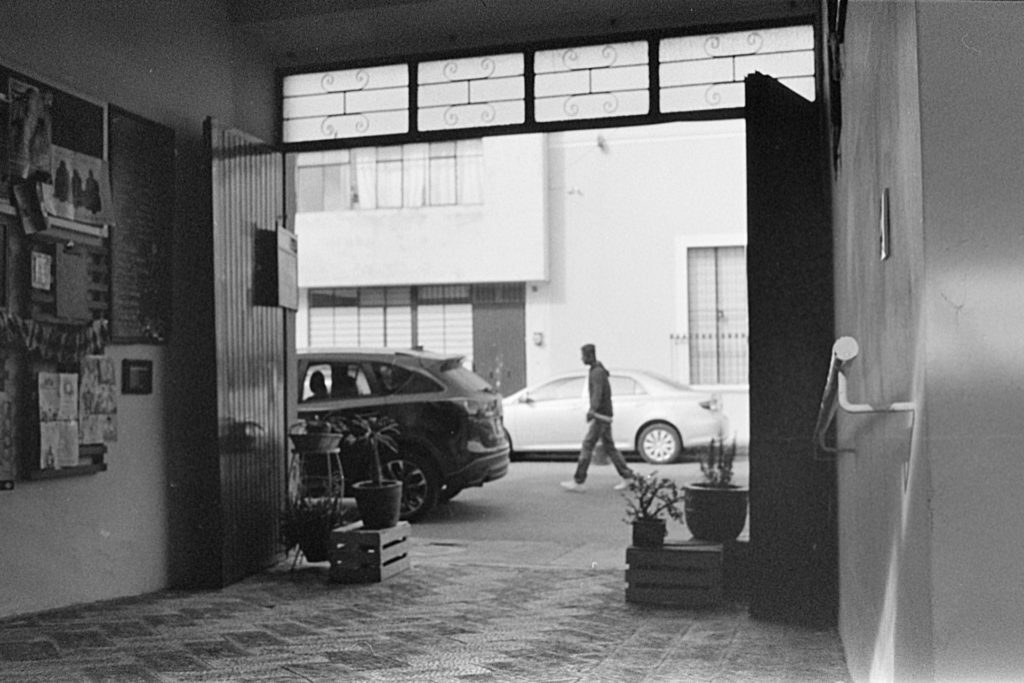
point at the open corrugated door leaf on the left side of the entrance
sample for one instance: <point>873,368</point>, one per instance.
<point>252,353</point>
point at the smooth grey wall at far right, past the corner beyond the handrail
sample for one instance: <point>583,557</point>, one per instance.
<point>973,159</point>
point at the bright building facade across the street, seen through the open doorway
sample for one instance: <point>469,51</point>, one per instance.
<point>532,245</point>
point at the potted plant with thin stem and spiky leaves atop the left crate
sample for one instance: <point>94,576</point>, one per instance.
<point>379,500</point>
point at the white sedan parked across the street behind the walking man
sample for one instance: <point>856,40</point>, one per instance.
<point>655,416</point>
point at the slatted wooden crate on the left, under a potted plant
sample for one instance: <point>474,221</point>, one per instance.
<point>363,557</point>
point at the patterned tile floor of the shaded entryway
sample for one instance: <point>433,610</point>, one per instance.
<point>440,621</point>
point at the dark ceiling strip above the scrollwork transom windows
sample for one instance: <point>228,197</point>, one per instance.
<point>320,32</point>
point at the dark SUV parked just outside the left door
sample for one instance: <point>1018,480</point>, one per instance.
<point>450,418</point>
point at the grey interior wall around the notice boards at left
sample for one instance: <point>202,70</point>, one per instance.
<point>106,536</point>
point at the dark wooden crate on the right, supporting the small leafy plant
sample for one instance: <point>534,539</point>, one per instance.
<point>688,574</point>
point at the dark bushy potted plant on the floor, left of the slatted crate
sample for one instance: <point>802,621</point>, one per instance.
<point>307,524</point>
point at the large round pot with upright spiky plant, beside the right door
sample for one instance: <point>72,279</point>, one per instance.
<point>716,508</point>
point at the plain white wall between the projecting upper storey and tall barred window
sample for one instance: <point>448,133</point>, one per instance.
<point>624,204</point>
